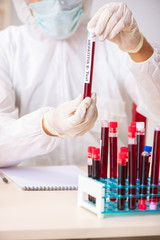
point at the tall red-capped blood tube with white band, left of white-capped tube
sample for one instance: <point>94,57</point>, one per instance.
<point>132,166</point>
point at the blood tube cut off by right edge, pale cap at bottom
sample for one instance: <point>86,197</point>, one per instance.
<point>155,169</point>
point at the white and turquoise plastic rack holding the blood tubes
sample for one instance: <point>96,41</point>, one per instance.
<point>104,189</point>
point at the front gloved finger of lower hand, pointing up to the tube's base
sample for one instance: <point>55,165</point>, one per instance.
<point>80,113</point>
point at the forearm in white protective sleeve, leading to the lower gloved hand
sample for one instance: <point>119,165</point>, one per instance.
<point>21,138</point>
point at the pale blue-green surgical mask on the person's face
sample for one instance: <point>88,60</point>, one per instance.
<point>58,19</point>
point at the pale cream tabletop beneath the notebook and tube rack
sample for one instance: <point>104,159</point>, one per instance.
<point>55,215</point>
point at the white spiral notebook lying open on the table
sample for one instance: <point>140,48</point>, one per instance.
<point>45,178</point>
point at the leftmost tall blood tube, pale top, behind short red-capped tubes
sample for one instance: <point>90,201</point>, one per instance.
<point>104,149</point>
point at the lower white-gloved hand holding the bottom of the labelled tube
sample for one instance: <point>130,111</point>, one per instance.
<point>73,118</point>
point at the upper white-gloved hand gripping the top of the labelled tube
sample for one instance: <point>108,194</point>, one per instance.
<point>115,22</point>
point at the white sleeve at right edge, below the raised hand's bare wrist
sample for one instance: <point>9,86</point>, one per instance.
<point>143,85</point>
